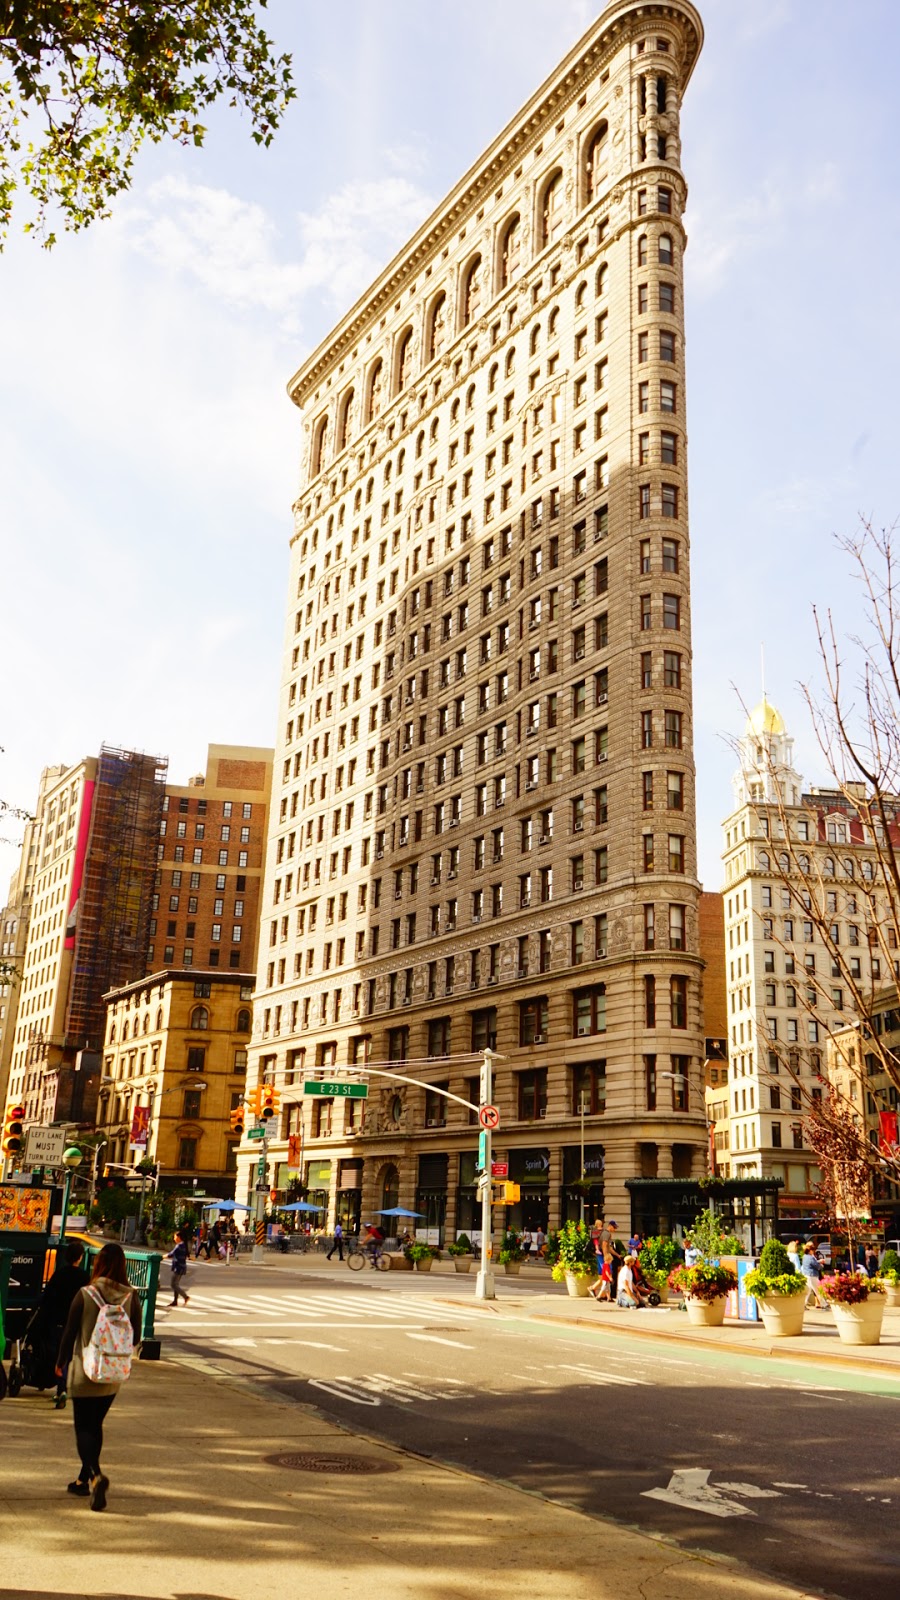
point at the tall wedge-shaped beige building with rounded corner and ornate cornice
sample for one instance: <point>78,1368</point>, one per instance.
<point>483,812</point>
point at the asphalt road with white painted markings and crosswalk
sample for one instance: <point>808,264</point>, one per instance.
<point>792,1471</point>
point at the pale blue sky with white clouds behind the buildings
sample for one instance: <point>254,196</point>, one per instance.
<point>150,454</point>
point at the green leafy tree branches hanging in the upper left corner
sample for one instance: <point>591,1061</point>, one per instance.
<point>86,82</point>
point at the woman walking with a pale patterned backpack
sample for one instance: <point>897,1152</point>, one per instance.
<point>100,1338</point>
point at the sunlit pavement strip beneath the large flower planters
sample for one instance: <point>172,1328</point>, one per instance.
<point>819,1340</point>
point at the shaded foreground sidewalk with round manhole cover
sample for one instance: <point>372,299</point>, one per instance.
<point>196,1513</point>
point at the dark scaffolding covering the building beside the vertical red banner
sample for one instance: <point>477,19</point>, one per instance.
<point>113,929</point>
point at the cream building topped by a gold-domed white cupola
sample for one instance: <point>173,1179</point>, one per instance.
<point>794,860</point>
